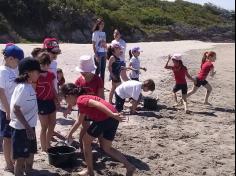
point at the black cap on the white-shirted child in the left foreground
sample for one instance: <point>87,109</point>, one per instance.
<point>28,64</point>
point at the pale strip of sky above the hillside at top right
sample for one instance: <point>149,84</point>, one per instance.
<point>226,4</point>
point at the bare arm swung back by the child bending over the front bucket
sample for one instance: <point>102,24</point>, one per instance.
<point>101,107</point>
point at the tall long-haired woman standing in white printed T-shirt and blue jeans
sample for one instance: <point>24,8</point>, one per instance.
<point>100,47</point>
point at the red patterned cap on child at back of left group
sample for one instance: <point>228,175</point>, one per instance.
<point>52,45</point>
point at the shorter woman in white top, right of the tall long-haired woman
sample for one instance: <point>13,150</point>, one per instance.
<point>118,39</point>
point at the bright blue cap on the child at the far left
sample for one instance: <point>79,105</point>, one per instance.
<point>13,51</point>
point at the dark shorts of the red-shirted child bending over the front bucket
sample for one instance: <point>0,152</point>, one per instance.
<point>106,128</point>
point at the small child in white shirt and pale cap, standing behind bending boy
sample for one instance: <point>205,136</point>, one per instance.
<point>135,63</point>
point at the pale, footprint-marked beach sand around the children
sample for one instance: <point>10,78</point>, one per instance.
<point>165,142</point>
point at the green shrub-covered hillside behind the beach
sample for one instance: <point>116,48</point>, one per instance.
<point>138,20</point>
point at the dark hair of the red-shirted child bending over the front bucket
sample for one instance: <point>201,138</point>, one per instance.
<point>72,89</point>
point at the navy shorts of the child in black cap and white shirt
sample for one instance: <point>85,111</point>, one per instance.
<point>21,145</point>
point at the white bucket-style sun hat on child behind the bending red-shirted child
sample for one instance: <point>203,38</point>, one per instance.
<point>86,64</point>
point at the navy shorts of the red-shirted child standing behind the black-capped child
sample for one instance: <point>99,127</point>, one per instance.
<point>46,107</point>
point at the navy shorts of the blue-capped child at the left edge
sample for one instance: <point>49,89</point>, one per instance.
<point>6,130</point>
